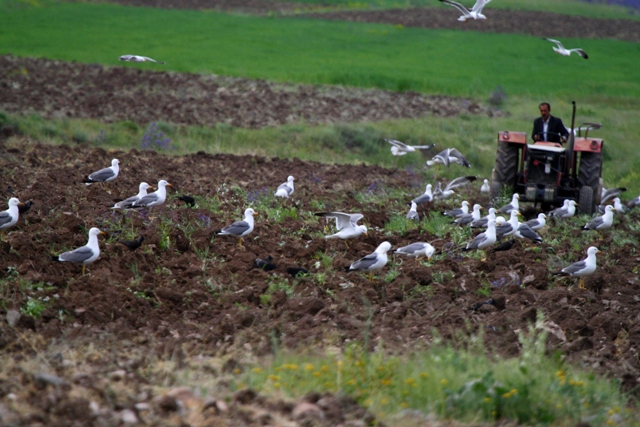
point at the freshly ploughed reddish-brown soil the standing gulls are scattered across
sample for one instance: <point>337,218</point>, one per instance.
<point>155,302</point>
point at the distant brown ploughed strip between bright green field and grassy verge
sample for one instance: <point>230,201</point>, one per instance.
<point>57,89</point>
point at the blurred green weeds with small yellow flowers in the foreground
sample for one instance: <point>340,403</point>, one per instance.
<point>454,383</point>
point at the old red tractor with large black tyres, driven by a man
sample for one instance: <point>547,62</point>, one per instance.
<point>547,172</point>
